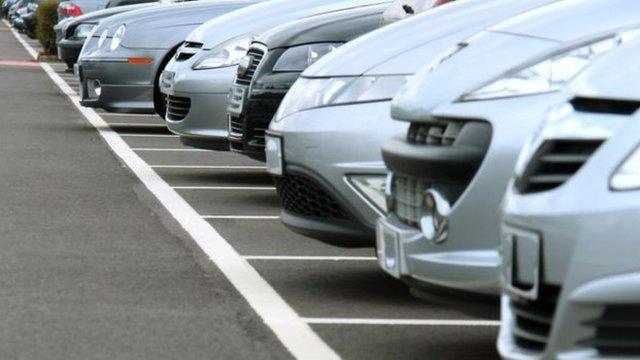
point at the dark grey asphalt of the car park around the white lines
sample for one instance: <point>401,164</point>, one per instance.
<point>91,266</point>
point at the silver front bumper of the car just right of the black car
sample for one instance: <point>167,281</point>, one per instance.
<point>336,142</point>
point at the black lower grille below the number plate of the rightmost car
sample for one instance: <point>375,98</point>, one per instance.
<point>533,319</point>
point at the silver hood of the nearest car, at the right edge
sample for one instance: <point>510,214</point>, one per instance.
<point>601,80</point>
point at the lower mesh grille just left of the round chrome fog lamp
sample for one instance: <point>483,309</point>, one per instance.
<point>408,197</point>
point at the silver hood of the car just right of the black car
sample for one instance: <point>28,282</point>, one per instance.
<point>400,48</point>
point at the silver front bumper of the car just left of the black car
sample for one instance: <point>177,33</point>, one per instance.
<point>205,125</point>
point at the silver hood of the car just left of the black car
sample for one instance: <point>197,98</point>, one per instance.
<point>259,17</point>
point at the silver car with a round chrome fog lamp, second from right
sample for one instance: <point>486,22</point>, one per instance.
<point>470,115</point>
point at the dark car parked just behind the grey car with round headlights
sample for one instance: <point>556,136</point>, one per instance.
<point>71,33</point>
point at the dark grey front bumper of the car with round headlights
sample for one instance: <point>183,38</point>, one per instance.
<point>125,87</point>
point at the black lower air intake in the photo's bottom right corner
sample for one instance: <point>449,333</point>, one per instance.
<point>617,331</point>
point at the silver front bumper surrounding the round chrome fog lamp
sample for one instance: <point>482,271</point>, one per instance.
<point>468,259</point>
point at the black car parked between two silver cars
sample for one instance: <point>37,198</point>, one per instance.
<point>274,62</point>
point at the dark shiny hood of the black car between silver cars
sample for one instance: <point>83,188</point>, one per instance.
<point>339,26</point>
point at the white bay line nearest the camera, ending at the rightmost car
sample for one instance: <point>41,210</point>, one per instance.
<point>402,322</point>
